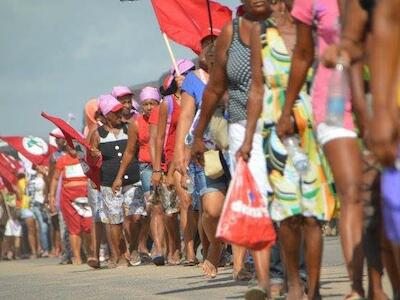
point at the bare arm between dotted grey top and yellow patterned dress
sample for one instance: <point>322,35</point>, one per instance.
<point>256,93</point>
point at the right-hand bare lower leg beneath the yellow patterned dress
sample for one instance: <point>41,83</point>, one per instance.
<point>313,254</point>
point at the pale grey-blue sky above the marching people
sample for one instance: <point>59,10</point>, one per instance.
<point>55,55</point>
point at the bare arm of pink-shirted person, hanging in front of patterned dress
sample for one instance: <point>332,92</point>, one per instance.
<point>303,57</point>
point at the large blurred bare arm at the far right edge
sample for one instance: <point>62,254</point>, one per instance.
<point>385,65</point>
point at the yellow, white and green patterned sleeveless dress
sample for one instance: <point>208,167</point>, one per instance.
<point>310,195</point>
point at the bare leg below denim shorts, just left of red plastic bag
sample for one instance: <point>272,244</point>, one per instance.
<point>212,204</point>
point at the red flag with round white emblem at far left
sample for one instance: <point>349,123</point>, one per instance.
<point>35,149</point>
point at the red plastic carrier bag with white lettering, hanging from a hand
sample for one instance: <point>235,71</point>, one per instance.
<point>245,219</point>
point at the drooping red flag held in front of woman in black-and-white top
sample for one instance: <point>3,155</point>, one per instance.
<point>91,166</point>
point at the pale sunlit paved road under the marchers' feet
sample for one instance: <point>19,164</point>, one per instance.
<point>44,279</point>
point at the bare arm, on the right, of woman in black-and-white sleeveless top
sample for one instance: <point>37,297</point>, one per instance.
<point>128,155</point>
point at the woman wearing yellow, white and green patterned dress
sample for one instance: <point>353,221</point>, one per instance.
<point>299,201</point>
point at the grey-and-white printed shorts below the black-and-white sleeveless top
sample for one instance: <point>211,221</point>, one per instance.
<point>129,201</point>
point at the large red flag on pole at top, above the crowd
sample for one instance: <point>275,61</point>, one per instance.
<point>187,22</point>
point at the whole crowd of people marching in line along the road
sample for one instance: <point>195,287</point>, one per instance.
<point>272,91</point>
